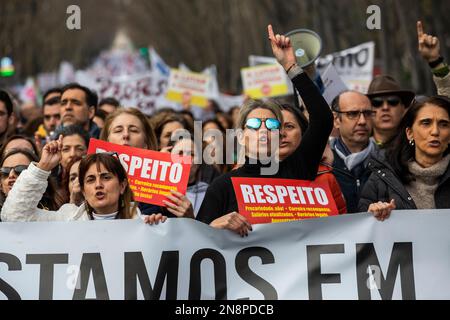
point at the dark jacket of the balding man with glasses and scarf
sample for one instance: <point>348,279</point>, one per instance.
<point>350,183</point>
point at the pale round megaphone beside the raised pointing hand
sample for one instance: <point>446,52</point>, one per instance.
<point>307,46</point>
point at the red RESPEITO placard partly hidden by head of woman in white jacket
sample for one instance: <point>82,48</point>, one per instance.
<point>151,175</point>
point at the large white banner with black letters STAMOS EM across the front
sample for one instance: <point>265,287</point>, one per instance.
<point>345,257</point>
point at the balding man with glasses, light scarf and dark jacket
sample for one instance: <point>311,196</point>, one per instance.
<point>353,116</point>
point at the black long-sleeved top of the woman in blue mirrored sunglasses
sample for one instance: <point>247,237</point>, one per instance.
<point>303,164</point>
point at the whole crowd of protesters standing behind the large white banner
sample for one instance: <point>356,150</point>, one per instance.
<point>378,152</point>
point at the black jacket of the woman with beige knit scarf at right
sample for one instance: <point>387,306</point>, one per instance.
<point>384,185</point>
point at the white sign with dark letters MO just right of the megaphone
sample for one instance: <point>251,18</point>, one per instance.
<point>354,65</point>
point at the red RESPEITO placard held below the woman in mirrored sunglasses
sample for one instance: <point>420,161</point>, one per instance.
<point>282,200</point>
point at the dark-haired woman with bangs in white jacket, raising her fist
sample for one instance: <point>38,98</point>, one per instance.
<point>103,182</point>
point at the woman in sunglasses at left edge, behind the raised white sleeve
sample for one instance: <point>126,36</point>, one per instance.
<point>11,167</point>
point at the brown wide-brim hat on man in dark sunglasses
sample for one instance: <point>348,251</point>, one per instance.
<point>384,85</point>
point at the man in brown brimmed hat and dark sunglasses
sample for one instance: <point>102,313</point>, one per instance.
<point>390,103</point>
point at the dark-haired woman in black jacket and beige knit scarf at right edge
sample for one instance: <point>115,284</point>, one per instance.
<point>416,172</point>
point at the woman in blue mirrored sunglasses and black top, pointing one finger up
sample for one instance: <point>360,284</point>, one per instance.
<point>260,123</point>
